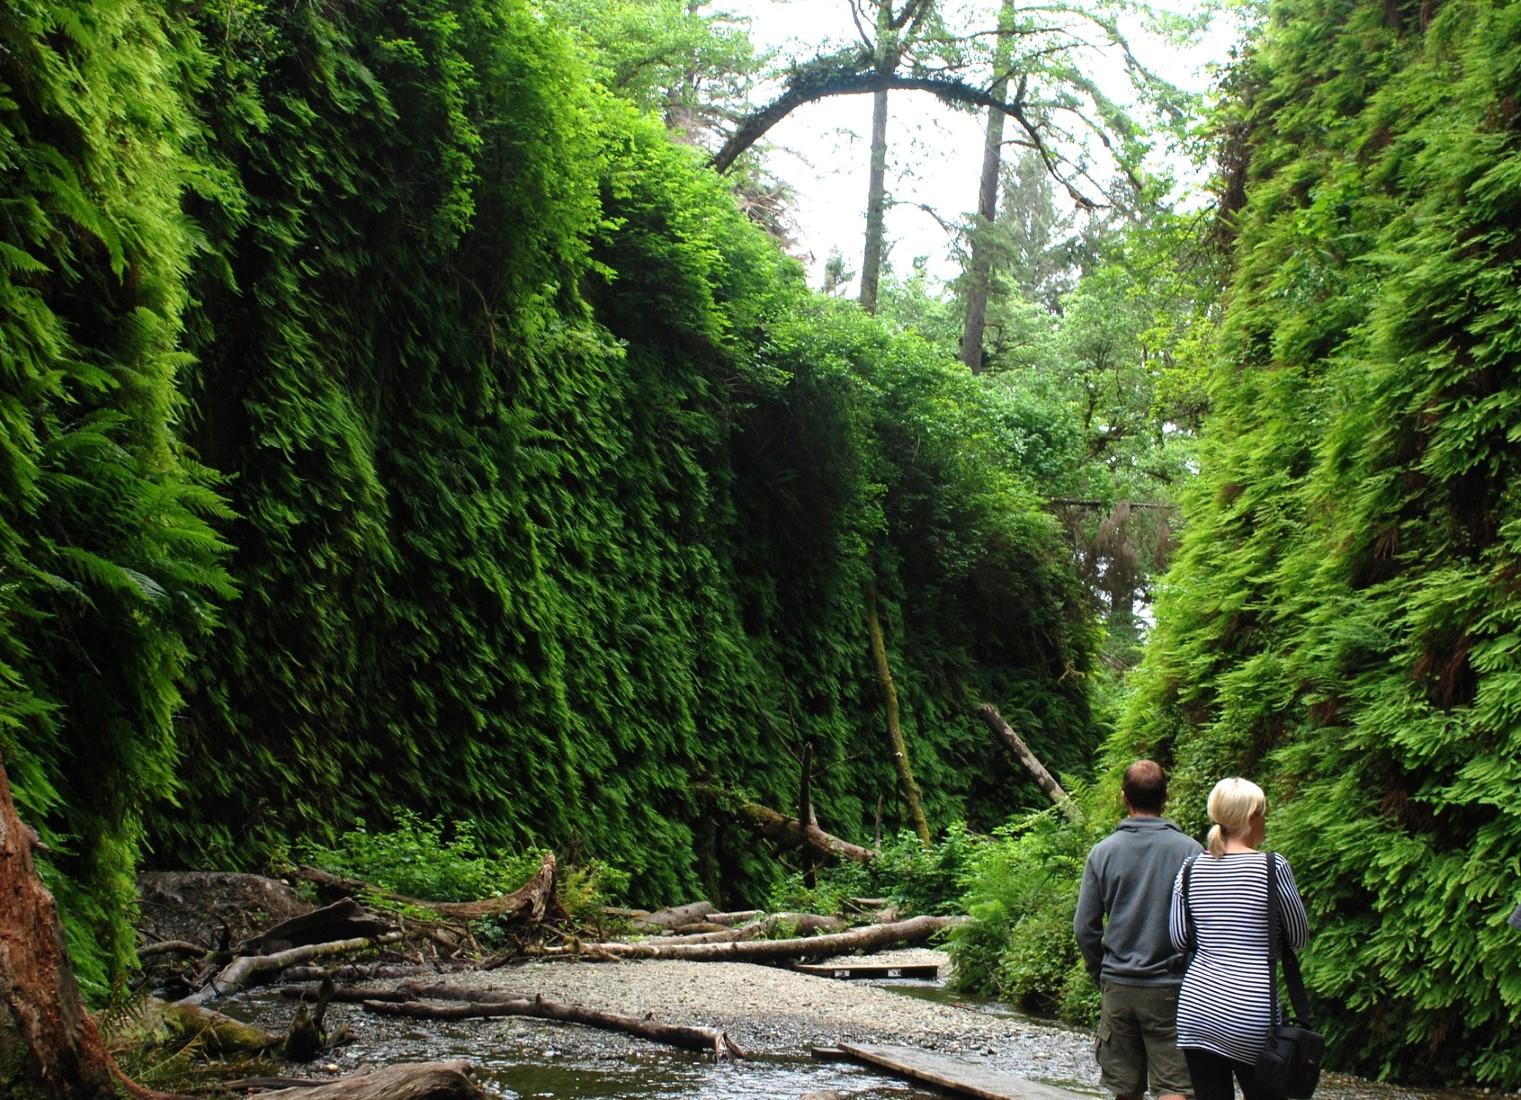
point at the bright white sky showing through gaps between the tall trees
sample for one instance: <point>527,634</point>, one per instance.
<point>935,153</point>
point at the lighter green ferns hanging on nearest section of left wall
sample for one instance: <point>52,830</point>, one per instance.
<point>107,562</point>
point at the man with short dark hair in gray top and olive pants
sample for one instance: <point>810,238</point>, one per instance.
<point>1129,883</point>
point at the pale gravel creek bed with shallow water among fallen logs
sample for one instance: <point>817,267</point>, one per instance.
<point>770,1013</point>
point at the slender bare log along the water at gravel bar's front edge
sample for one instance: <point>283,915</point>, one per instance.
<point>474,1003</point>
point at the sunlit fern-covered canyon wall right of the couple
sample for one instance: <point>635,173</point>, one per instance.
<point>1344,622</point>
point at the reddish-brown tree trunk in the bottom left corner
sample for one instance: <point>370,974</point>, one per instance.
<point>49,1048</point>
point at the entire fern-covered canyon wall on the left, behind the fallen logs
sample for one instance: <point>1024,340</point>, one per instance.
<point>393,419</point>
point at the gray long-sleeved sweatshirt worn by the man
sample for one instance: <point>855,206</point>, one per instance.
<point>1129,880</point>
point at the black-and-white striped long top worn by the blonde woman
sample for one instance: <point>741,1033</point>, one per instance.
<point>1224,1005</point>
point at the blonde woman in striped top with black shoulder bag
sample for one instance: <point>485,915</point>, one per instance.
<point>1224,1006</point>
